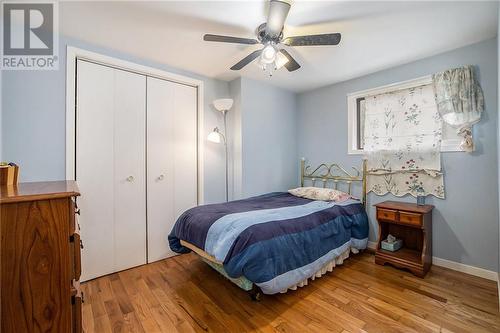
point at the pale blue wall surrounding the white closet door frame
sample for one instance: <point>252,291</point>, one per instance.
<point>34,120</point>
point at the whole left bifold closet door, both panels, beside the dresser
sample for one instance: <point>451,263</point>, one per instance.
<point>111,168</point>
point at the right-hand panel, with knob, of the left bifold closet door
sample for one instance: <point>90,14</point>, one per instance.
<point>130,169</point>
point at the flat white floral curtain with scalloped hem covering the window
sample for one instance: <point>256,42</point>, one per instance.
<point>402,141</point>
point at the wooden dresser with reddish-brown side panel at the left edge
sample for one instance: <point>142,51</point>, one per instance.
<point>40,258</point>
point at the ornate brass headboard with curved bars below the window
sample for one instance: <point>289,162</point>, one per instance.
<point>334,173</point>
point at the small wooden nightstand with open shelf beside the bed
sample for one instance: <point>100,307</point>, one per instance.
<point>412,224</point>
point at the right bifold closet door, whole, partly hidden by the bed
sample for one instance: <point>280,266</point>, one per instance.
<point>171,159</point>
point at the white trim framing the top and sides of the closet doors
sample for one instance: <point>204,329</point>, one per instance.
<point>73,53</point>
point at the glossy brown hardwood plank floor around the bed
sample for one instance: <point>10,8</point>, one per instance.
<point>183,294</point>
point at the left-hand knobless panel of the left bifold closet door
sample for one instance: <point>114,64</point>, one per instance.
<point>95,177</point>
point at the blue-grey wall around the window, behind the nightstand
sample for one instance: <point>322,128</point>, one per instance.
<point>465,225</point>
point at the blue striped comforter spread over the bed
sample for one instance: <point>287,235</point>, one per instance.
<point>274,240</point>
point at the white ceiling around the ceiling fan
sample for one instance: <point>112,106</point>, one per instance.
<point>375,35</point>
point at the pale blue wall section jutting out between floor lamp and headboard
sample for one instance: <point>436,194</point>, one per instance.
<point>263,138</point>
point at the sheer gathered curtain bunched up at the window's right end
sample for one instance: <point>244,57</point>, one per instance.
<point>459,100</point>
